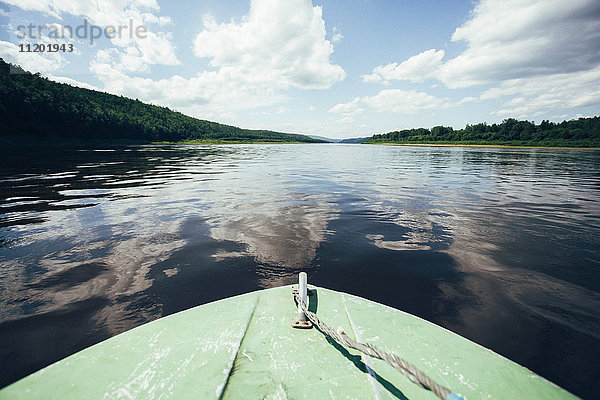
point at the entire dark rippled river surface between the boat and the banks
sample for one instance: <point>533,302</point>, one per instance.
<point>499,245</point>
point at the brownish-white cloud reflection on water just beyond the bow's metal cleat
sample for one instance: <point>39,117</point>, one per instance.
<point>282,238</point>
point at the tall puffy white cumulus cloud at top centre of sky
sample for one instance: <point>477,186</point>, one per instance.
<point>279,43</point>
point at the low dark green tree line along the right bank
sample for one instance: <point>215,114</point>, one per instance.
<point>583,132</point>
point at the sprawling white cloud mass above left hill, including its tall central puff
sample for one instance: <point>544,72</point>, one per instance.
<point>276,46</point>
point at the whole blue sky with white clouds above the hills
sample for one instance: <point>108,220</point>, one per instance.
<point>334,68</point>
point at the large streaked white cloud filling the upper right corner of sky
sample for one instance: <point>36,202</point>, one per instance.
<point>543,55</point>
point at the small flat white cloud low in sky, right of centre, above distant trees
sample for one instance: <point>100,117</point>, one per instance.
<point>394,101</point>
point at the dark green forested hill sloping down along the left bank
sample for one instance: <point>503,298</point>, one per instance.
<point>34,109</point>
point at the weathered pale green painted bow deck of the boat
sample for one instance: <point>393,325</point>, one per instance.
<point>243,347</point>
